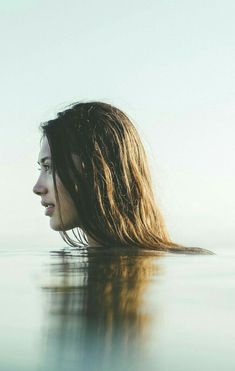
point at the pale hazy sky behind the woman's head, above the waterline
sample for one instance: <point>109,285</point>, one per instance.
<point>170,65</point>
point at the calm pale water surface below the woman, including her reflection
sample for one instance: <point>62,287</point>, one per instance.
<point>113,311</point>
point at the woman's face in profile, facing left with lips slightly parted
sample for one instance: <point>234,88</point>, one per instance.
<point>44,187</point>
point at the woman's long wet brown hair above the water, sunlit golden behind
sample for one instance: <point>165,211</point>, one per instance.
<point>111,188</point>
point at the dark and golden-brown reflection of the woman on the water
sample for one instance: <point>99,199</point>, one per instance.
<point>95,313</point>
